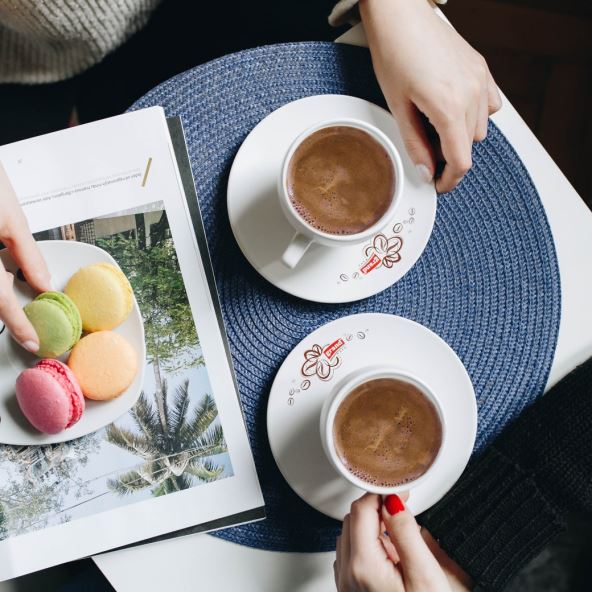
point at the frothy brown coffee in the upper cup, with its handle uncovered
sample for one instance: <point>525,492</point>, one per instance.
<point>341,180</point>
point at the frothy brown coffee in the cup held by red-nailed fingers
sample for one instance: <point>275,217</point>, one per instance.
<point>387,432</point>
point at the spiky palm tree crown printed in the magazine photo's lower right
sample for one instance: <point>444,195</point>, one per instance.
<point>175,448</point>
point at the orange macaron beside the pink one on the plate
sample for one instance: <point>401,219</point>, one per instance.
<point>105,364</point>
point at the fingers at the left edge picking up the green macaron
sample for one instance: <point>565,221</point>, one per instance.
<point>15,234</point>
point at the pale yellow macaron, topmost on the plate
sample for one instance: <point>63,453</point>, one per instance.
<point>103,296</point>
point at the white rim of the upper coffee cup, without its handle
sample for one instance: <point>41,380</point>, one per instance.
<point>311,231</point>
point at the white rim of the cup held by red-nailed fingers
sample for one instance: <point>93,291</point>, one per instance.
<point>341,391</point>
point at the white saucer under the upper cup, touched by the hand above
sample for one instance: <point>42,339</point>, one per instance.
<point>324,274</point>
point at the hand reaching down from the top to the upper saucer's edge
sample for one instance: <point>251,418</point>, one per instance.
<point>428,71</point>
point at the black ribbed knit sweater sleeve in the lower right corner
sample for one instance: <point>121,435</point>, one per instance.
<point>513,499</point>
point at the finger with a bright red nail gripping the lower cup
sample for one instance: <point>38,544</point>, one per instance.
<point>420,568</point>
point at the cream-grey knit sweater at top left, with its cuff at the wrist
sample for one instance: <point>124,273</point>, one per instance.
<point>50,40</point>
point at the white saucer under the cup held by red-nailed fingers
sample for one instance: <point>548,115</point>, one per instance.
<point>308,375</point>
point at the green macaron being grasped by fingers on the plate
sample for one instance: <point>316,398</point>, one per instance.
<point>56,321</point>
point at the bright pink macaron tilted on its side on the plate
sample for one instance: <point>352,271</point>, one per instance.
<point>49,396</point>
